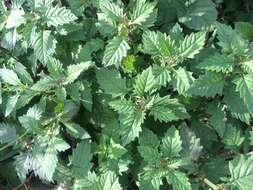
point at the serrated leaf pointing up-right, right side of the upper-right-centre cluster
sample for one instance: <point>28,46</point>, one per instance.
<point>191,45</point>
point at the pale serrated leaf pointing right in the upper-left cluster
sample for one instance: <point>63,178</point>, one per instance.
<point>56,16</point>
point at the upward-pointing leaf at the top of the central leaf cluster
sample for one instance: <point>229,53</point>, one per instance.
<point>144,82</point>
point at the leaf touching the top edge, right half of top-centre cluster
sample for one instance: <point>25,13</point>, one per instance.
<point>144,13</point>
